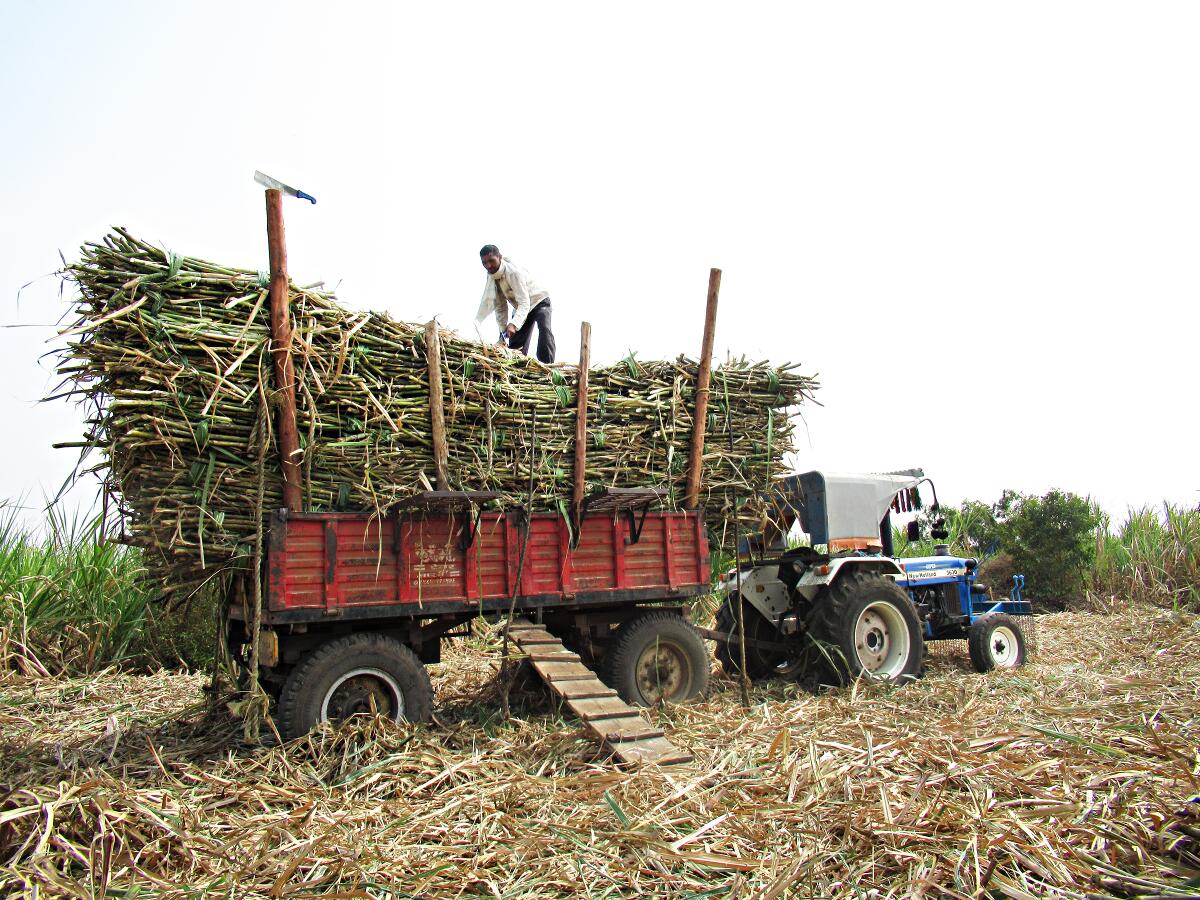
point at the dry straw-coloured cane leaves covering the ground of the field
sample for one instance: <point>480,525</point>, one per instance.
<point>1070,778</point>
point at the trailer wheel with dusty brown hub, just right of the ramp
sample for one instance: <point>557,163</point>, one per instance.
<point>658,657</point>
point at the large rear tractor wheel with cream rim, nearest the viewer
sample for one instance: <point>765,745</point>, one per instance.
<point>867,626</point>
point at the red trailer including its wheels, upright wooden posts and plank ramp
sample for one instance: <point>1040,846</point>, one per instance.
<point>355,605</point>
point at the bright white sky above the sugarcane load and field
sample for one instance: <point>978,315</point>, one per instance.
<point>980,224</point>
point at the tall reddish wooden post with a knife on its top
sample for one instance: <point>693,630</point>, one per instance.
<point>281,355</point>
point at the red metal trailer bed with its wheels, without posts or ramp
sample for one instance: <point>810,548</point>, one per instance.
<point>357,603</point>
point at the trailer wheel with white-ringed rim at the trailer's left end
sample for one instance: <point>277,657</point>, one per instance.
<point>352,676</point>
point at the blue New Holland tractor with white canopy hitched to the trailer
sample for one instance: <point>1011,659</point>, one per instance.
<point>853,609</point>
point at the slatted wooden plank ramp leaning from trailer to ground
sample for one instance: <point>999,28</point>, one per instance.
<point>614,722</point>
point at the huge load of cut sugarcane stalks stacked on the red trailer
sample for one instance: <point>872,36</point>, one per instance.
<point>172,357</point>
